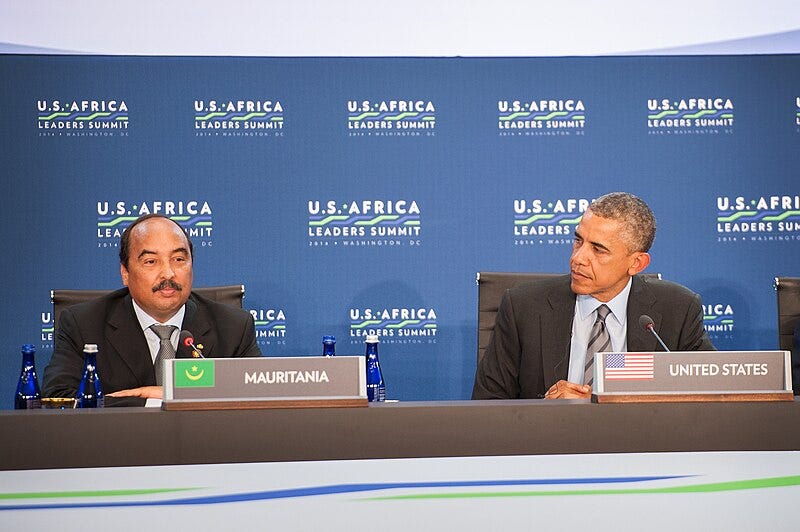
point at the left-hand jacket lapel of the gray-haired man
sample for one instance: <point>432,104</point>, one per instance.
<point>556,332</point>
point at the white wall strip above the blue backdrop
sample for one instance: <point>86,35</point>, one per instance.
<point>398,28</point>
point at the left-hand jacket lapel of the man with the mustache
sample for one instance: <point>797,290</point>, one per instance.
<point>127,339</point>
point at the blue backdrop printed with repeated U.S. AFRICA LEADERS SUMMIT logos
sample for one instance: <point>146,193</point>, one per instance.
<point>353,195</point>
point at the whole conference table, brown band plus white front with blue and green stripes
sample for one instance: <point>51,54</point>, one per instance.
<point>516,458</point>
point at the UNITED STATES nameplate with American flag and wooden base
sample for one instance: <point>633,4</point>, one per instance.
<point>693,376</point>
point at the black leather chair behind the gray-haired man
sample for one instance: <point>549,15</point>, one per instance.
<point>492,285</point>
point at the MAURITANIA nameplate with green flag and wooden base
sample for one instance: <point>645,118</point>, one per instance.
<point>232,383</point>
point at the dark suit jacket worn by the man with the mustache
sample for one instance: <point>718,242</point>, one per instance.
<point>124,360</point>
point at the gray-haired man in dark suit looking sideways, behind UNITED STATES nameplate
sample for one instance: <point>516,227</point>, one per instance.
<point>543,330</point>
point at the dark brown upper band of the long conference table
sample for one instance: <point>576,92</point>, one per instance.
<point>147,436</point>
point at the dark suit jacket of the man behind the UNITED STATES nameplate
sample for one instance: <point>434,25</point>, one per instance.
<point>530,344</point>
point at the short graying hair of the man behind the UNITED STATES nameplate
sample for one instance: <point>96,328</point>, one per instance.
<point>638,221</point>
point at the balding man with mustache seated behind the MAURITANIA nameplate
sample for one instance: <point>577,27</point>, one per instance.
<point>156,267</point>
